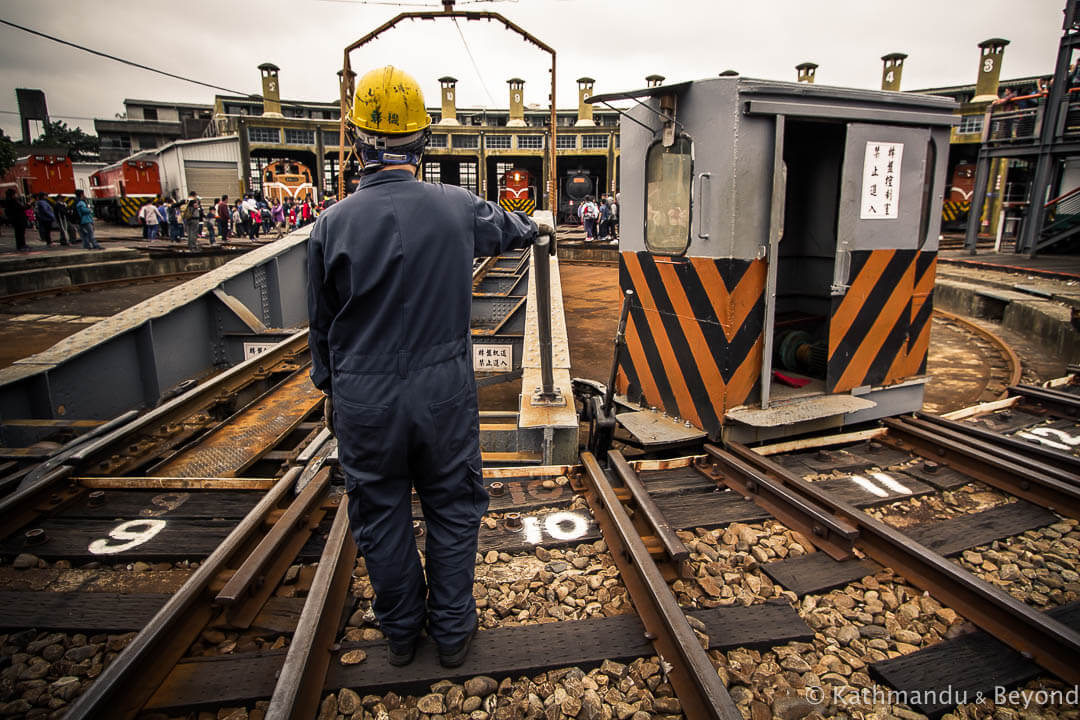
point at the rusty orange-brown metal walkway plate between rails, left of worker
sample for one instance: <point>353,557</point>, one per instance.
<point>229,450</point>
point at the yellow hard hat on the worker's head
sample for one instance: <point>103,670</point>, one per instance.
<point>389,102</point>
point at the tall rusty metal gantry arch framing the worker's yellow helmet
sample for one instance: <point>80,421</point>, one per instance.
<point>349,78</point>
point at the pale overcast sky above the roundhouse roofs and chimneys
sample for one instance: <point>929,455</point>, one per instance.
<point>618,43</point>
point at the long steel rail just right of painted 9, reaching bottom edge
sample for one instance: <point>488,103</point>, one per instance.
<point>127,684</point>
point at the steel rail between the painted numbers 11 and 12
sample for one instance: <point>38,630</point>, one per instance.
<point>990,468</point>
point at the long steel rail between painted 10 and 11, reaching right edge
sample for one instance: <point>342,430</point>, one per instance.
<point>1051,644</point>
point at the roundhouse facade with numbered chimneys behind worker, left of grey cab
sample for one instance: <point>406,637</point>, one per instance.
<point>471,147</point>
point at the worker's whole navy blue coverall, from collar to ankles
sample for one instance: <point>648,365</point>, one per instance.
<point>389,296</point>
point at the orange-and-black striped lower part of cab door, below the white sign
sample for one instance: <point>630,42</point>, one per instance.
<point>880,331</point>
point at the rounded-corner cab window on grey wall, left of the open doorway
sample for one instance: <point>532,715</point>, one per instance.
<point>668,175</point>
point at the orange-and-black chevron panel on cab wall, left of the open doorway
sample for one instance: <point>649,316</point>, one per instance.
<point>694,336</point>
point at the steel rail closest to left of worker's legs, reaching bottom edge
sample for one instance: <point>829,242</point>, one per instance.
<point>300,687</point>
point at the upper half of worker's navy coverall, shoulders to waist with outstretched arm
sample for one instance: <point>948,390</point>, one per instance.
<point>395,271</point>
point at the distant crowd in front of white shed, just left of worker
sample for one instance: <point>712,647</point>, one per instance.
<point>250,218</point>
